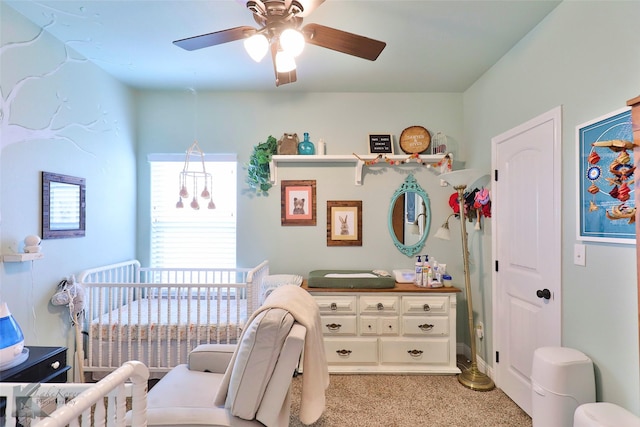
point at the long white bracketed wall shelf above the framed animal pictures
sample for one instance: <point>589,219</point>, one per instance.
<point>429,159</point>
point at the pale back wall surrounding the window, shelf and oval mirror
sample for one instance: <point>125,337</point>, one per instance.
<point>235,122</point>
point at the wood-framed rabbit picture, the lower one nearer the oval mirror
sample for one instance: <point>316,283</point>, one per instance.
<point>344,223</point>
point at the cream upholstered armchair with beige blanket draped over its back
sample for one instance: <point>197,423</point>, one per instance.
<point>249,384</point>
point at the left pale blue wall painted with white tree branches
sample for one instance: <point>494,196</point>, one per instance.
<point>67,117</point>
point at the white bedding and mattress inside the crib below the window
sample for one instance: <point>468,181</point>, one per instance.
<point>173,318</point>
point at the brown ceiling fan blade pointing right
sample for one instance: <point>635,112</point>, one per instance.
<point>341,41</point>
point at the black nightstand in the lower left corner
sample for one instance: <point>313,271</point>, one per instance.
<point>44,365</point>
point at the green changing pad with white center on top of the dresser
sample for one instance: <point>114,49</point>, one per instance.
<point>349,279</point>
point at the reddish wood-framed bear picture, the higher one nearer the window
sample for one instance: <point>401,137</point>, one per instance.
<point>298,202</point>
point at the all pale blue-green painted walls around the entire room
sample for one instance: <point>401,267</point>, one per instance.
<point>584,56</point>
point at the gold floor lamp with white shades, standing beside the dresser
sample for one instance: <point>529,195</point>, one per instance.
<point>460,180</point>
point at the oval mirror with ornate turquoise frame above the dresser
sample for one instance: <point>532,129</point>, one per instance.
<point>409,217</point>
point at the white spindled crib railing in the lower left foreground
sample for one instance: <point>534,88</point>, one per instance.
<point>101,404</point>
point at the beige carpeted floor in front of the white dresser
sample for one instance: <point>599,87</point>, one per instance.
<point>410,400</point>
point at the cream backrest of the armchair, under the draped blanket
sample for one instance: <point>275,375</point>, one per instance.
<point>256,358</point>
